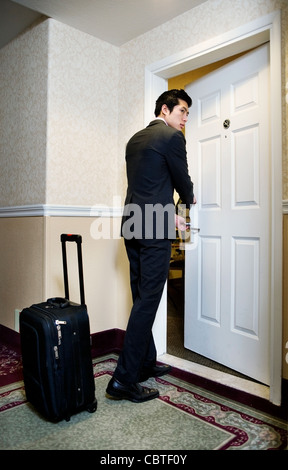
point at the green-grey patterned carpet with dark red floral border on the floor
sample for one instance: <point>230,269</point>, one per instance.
<point>184,418</point>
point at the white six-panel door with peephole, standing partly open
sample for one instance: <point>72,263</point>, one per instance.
<point>227,298</point>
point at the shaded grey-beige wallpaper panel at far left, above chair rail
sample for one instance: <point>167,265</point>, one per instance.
<point>23,113</point>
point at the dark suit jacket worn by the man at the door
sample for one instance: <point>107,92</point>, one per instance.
<point>156,164</point>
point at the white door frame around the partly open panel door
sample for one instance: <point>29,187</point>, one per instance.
<point>247,36</point>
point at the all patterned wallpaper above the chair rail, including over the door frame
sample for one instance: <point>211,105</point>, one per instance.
<point>69,102</point>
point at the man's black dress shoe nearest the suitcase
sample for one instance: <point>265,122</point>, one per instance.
<point>133,392</point>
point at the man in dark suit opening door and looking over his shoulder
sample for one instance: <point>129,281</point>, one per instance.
<point>156,164</point>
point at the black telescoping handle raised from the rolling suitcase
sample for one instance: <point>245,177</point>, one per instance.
<point>78,239</point>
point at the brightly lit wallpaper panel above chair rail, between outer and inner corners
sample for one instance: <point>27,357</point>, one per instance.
<point>82,118</point>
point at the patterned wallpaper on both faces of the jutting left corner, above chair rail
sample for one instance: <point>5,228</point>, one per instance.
<point>59,118</point>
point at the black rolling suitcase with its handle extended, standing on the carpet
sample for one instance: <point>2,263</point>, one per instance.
<point>56,351</point>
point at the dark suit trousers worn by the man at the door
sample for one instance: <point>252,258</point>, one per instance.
<point>149,267</point>
